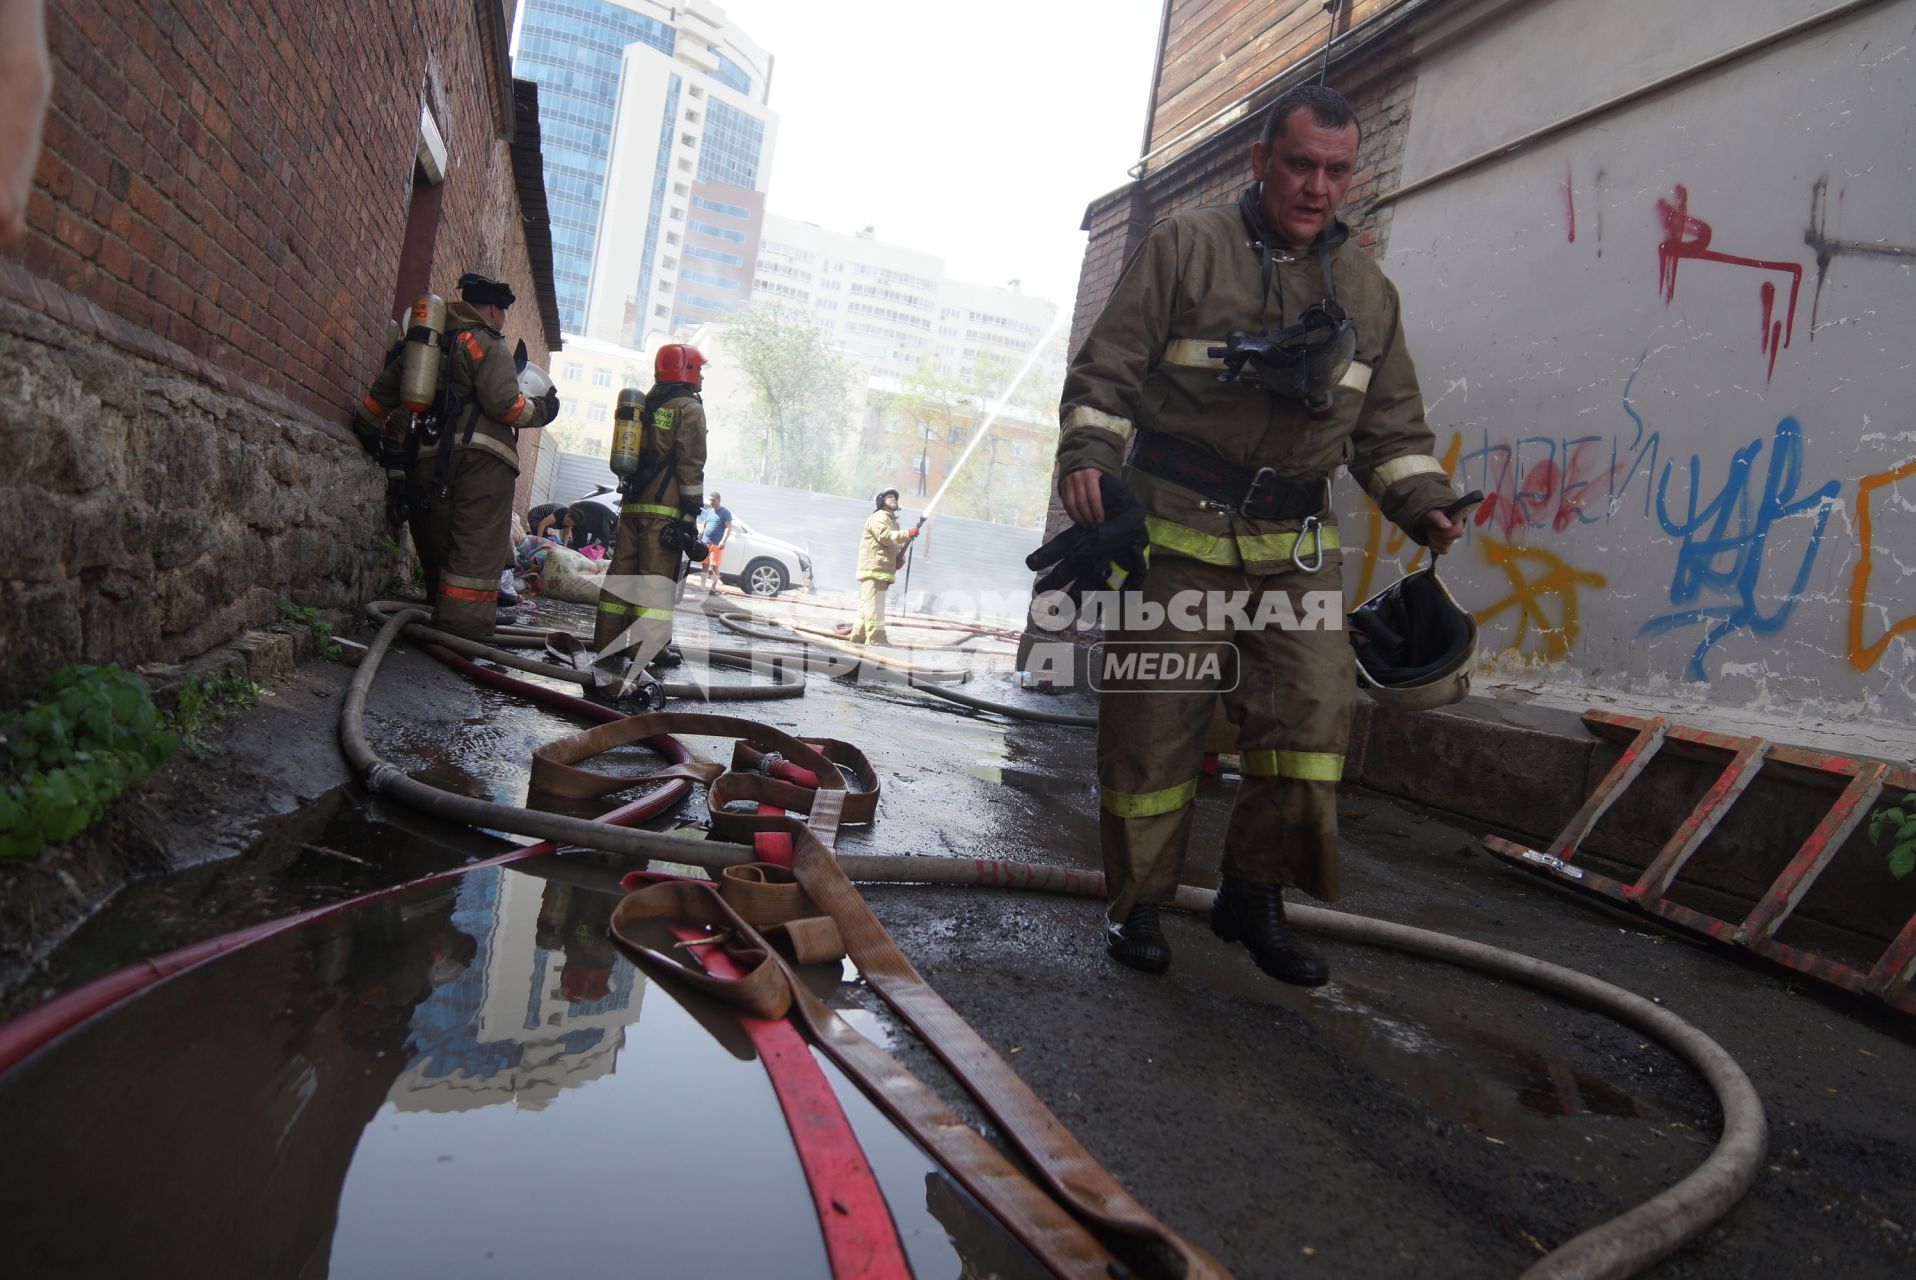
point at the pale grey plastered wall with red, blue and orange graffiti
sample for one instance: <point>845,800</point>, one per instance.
<point>1674,348</point>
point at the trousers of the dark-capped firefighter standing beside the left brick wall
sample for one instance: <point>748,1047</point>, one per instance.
<point>465,539</point>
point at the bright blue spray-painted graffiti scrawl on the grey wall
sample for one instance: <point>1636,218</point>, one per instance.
<point>1733,534</point>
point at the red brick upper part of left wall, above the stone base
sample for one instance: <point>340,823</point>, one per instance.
<point>235,179</point>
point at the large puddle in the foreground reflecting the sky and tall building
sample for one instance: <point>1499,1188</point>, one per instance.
<point>459,1080</point>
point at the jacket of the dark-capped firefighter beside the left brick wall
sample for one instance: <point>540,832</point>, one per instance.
<point>484,384</point>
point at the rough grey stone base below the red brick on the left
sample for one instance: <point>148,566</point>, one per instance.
<point>148,516</point>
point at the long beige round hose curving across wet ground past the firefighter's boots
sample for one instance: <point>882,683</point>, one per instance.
<point>1612,1250</point>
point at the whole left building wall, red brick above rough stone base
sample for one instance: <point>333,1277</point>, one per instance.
<point>202,294</point>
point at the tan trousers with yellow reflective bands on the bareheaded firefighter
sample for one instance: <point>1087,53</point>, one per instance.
<point>1292,710</point>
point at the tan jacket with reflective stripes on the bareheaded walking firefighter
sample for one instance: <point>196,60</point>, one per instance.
<point>1145,365</point>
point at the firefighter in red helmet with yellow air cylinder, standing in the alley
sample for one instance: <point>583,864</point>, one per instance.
<point>658,451</point>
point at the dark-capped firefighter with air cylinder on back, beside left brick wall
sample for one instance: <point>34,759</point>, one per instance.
<point>457,459</point>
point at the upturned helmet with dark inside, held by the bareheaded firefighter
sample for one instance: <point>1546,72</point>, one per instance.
<point>1415,645</point>
